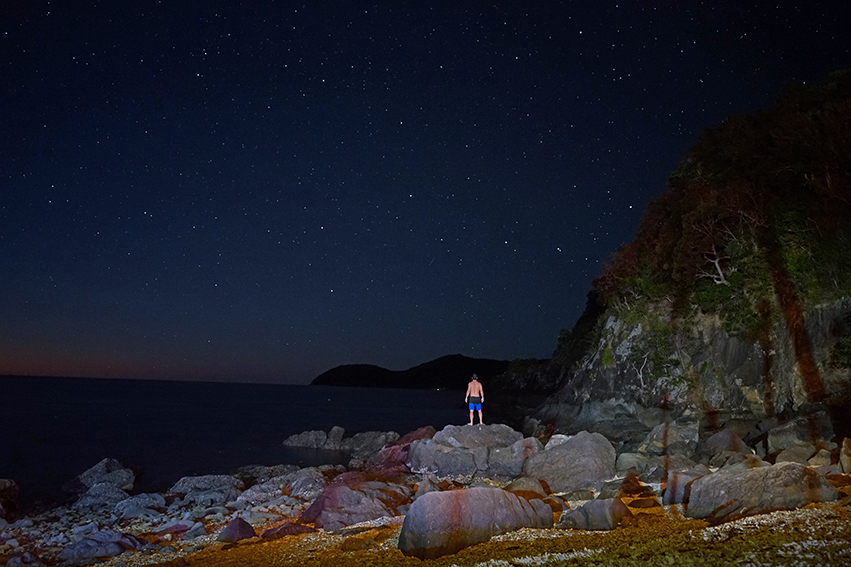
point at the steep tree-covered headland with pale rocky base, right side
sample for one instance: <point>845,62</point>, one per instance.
<point>734,300</point>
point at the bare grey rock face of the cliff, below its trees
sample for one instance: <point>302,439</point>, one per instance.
<point>646,370</point>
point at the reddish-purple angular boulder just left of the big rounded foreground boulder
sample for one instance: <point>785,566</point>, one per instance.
<point>351,499</point>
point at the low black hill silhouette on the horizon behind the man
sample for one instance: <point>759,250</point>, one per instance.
<point>452,371</point>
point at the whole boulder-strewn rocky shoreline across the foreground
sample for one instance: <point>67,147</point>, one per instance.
<point>438,495</point>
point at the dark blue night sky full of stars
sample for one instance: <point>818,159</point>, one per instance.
<point>260,191</point>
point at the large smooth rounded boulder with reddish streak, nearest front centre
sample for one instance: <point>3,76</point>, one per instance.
<point>441,523</point>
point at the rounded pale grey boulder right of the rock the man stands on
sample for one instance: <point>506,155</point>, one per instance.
<point>585,461</point>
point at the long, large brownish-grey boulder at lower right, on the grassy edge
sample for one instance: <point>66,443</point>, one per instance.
<point>784,485</point>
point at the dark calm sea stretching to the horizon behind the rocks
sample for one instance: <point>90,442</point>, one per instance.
<point>52,429</point>
